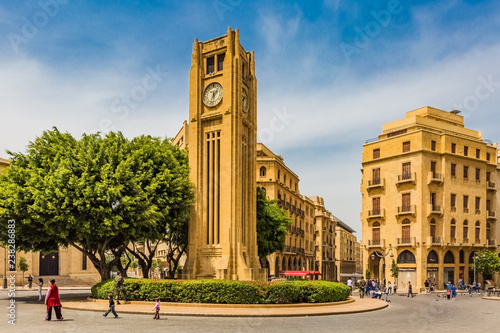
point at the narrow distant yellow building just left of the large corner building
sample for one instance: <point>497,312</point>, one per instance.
<point>345,251</point>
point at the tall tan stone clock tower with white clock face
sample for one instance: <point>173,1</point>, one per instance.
<point>222,156</point>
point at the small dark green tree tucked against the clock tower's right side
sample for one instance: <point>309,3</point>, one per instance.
<point>272,223</point>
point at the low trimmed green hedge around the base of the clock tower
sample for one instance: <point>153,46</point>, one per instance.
<point>227,292</point>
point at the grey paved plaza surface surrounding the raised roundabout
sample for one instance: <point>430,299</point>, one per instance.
<point>424,313</point>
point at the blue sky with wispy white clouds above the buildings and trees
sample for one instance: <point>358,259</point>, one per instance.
<point>334,70</point>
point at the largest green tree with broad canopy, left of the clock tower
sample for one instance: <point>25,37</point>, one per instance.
<point>97,194</point>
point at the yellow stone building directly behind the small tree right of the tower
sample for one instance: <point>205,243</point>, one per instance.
<point>282,184</point>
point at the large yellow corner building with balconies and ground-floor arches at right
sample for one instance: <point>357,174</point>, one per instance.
<point>428,198</point>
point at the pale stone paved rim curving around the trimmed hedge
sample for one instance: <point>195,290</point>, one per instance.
<point>228,310</point>
